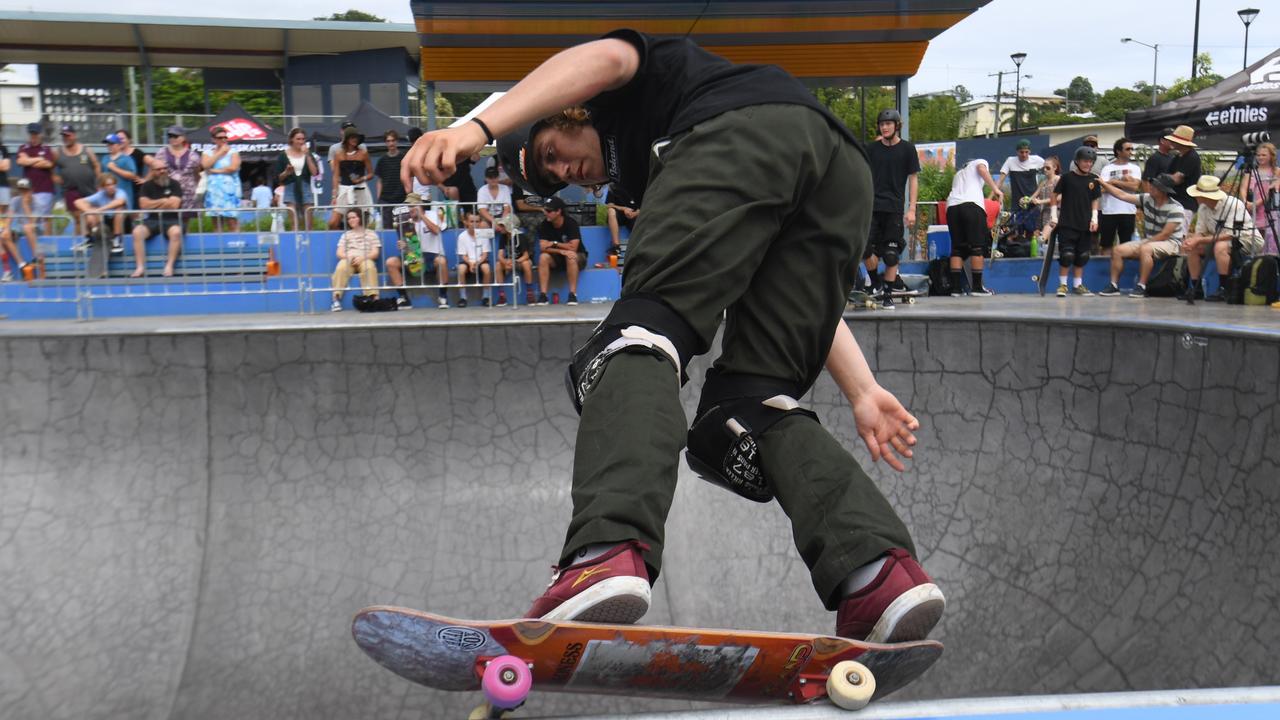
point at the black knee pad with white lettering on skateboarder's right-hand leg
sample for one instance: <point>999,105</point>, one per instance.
<point>724,445</point>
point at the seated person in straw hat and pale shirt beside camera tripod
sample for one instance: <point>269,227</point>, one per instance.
<point>1219,222</point>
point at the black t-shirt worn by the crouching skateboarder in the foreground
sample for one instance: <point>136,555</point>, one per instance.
<point>676,86</point>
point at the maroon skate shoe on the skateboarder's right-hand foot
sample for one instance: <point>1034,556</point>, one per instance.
<point>900,605</point>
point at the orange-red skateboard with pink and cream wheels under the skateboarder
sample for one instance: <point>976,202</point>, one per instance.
<point>508,659</point>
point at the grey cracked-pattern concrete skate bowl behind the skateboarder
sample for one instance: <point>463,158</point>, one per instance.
<point>191,514</point>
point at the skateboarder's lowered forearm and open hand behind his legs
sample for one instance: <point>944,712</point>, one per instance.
<point>884,425</point>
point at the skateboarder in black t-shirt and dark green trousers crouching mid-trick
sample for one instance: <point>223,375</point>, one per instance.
<point>757,202</point>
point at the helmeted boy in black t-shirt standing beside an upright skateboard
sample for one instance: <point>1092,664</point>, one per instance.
<point>1077,198</point>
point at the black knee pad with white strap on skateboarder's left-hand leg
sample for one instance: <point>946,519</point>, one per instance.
<point>639,323</point>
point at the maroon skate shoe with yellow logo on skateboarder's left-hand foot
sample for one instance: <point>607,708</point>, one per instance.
<point>610,589</point>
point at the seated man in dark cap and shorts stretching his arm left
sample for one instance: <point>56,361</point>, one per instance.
<point>1160,236</point>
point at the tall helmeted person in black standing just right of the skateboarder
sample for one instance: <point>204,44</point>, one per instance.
<point>894,167</point>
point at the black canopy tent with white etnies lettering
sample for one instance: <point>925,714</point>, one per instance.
<point>1244,103</point>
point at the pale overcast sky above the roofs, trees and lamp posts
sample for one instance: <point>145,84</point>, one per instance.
<point>1062,38</point>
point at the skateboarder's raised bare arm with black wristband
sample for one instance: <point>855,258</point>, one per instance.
<point>570,78</point>
